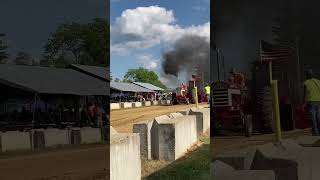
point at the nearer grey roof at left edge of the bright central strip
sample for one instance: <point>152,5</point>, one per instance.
<point>128,87</point>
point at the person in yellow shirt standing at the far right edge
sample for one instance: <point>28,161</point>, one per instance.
<point>312,100</point>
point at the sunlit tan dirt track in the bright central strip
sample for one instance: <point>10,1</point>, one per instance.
<point>123,120</point>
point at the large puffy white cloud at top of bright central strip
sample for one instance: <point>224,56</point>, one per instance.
<point>145,27</point>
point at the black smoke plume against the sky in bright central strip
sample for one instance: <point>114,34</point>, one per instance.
<point>190,55</point>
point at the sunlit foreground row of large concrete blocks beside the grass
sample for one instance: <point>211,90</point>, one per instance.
<point>167,136</point>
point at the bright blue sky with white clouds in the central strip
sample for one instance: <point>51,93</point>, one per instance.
<point>142,29</point>
